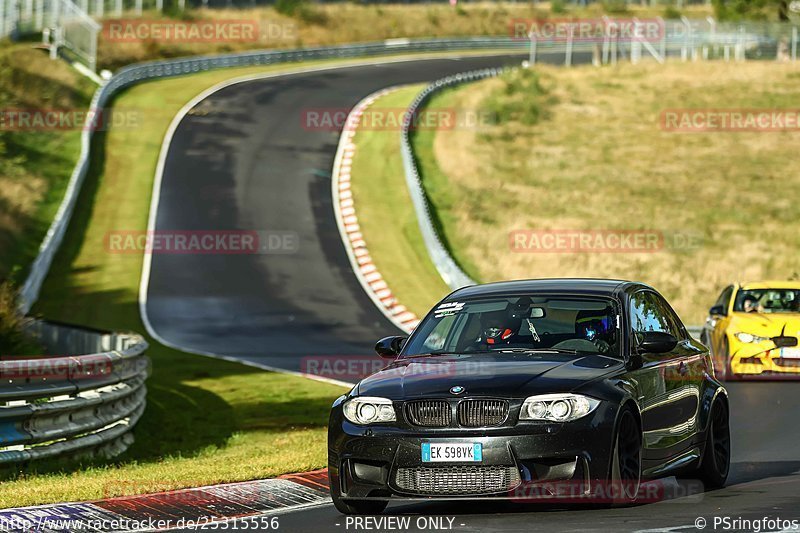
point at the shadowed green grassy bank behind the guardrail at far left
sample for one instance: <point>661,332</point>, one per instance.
<point>35,166</point>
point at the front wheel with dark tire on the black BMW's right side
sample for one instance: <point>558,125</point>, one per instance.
<point>626,461</point>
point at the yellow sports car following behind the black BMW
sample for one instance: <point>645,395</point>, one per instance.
<point>753,329</point>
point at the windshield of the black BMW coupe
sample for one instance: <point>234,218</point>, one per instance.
<point>519,323</point>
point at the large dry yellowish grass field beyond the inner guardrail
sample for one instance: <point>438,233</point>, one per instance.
<point>583,149</point>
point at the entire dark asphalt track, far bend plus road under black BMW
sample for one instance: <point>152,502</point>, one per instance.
<point>242,159</point>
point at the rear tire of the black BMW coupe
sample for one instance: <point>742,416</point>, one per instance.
<point>716,460</point>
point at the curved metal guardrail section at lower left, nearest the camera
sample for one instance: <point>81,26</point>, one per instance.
<point>72,404</point>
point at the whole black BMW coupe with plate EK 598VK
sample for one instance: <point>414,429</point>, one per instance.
<point>573,388</point>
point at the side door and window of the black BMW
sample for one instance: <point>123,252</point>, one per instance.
<point>667,404</point>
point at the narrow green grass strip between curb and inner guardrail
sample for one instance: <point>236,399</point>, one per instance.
<point>386,214</point>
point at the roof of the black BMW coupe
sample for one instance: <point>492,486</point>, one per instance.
<point>601,287</point>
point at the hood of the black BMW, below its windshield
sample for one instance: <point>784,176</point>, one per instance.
<point>504,375</point>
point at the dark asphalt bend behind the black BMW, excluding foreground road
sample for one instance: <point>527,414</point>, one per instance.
<point>243,159</point>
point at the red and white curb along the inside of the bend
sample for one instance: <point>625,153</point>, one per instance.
<point>345,209</point>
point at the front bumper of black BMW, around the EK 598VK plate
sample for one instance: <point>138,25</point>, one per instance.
<point>367,462</point>
